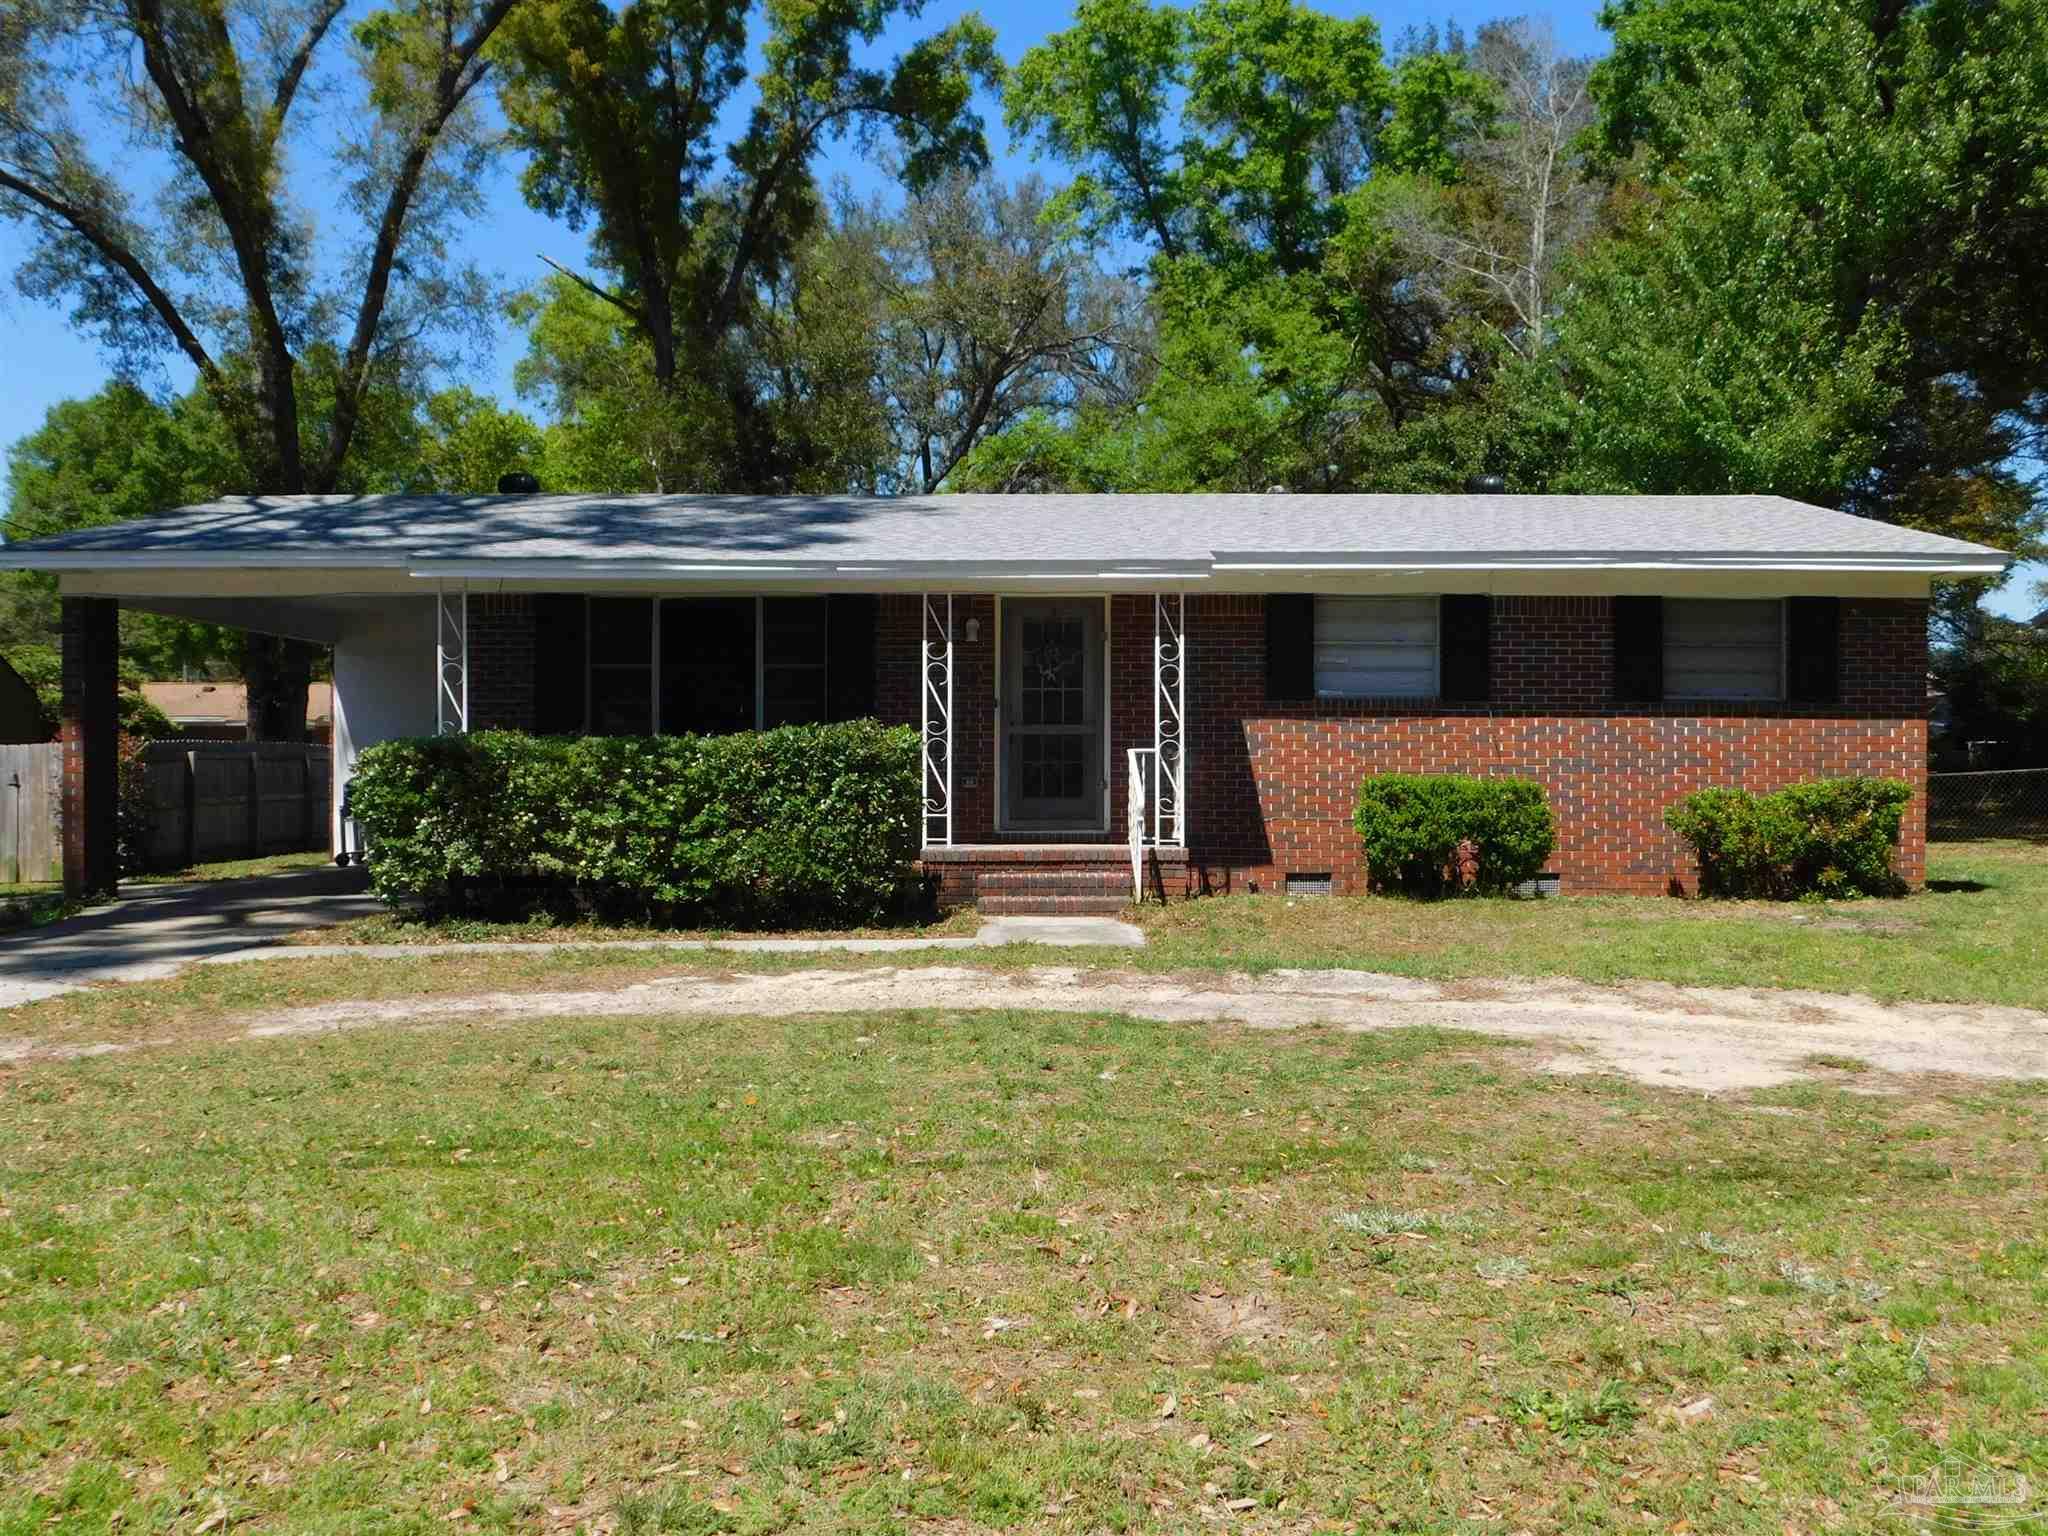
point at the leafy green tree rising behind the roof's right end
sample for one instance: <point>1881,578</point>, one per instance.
<point>1902,151</point>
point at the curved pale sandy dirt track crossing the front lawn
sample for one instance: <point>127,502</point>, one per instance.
<point>1658,1033</point>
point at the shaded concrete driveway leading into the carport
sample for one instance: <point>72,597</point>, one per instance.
<point>157,929</point>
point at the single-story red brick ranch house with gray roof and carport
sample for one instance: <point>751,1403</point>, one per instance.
<point>1228,667</point>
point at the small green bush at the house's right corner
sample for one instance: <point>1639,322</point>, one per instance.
<point>1830,839</point>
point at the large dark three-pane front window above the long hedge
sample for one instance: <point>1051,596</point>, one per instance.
<point>708,665</point>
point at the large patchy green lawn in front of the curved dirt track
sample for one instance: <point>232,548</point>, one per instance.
<point>957,1273</point>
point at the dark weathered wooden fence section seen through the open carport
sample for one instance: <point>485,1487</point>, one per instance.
<point>234,800</point>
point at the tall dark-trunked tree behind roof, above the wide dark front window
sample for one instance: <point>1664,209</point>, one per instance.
<point>622,110</point>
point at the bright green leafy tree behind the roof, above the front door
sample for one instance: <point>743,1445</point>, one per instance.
<point>1248,146</point>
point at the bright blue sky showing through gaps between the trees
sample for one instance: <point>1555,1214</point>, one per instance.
<point>44,361</point>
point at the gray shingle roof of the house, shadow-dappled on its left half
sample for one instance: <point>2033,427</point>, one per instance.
<point>992,531</point>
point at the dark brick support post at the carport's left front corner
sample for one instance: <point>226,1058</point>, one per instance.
<point>91,736</point>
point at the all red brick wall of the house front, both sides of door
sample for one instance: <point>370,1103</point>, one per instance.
<point>1271,783</point>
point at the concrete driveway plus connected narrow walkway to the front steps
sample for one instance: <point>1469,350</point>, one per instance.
<point>155,931</point>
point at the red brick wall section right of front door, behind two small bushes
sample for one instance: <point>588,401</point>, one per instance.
<point>1275,783</point>
